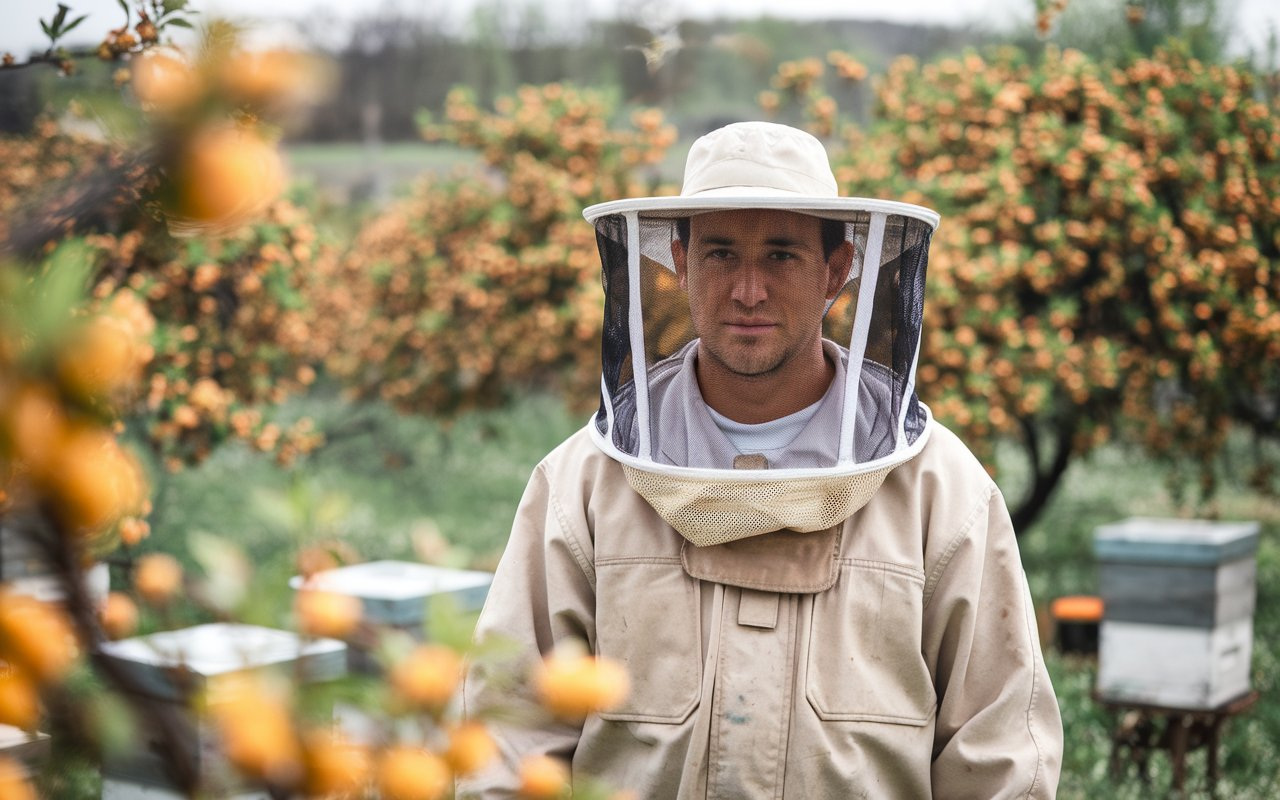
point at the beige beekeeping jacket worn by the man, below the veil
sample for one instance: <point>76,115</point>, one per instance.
<point>904,662</point>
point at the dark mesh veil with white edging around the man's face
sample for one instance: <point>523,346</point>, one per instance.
<point>865,289</point>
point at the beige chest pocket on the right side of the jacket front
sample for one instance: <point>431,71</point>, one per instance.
<point>865,662</point>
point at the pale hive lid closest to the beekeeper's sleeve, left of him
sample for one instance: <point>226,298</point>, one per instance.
<point>396,592</point>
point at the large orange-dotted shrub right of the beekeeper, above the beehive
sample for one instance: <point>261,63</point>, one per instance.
<point>1107,264</point>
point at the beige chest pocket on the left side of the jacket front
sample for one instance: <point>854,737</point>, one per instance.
<point>648,618</point>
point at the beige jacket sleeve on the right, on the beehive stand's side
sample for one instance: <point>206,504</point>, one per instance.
<point>999,732</point>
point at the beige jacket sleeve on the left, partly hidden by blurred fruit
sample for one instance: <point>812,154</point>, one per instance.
<point>543,593</point>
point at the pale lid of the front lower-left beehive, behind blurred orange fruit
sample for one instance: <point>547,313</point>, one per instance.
<point>172,664</point>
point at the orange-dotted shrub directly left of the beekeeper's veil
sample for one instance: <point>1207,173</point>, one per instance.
<point>482,285</point>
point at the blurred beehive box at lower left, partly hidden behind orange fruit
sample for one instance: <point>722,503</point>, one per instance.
<point>177,666</point>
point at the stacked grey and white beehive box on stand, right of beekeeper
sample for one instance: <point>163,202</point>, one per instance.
<point>1178,621</point>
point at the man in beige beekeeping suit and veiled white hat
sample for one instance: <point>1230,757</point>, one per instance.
<point>813,586</point>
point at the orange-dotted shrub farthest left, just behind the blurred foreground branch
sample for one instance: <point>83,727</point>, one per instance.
<point>234,330</point>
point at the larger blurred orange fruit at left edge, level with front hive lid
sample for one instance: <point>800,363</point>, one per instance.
<point>38,637</point>
